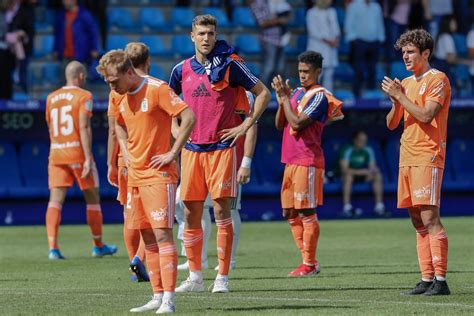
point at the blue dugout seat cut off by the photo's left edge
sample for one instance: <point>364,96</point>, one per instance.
<point>9,169</point>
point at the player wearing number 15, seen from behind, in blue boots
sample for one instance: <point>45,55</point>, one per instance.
<point>68,115</point>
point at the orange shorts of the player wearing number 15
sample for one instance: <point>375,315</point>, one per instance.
<point>64,176</point>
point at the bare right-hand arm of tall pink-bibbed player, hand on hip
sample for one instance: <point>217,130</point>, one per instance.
<point>262,97</point>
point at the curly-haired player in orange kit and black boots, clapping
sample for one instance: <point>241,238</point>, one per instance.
<point>422,100</point>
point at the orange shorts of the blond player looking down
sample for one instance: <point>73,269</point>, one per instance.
<point>151,206</point>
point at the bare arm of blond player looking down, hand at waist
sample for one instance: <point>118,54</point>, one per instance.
<point>188,120</point>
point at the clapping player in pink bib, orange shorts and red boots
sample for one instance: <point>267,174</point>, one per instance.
<point>302,115</point>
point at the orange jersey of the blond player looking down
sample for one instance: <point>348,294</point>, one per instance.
<point>147,113</point>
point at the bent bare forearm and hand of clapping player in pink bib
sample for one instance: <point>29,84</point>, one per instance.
<point>297,122</point>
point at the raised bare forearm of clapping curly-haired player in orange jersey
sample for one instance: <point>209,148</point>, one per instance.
<point>423,114</point>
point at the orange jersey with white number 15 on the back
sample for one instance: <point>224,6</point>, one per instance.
<point>63,107</point>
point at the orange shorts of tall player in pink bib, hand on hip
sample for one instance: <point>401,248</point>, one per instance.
<point>213,172</point>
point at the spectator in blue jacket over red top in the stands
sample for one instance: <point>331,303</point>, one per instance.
<point>75,34</point>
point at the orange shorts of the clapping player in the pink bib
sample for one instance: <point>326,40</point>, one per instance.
<point>302,187</point>
